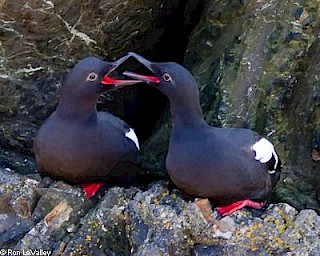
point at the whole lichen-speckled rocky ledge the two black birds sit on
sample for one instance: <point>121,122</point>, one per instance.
<point>41,214</point>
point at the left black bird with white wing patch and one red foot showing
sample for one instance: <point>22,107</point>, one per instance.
<point>77,143</point>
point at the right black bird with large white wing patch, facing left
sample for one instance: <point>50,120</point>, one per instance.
<point>233,167</point>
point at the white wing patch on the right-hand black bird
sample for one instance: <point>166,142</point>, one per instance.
<point>264,151</point>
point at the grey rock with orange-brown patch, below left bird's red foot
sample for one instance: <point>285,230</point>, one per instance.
<point>57,213</point>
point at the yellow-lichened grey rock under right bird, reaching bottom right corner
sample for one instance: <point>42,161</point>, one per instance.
<point>131,221</point>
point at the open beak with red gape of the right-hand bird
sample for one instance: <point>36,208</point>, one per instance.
<point>142,78</point>
